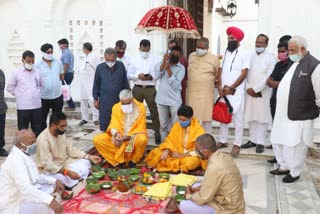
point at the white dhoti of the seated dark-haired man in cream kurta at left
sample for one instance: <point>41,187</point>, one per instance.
<point>81,167</point>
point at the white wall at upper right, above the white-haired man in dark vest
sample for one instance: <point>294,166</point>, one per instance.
<point>293,17</point>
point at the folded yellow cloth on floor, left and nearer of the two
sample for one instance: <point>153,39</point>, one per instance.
<point>159,191</point>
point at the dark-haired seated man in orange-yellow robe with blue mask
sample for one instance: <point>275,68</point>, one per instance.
<point>177,151</point>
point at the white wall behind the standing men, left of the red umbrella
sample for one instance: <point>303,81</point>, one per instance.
<point>27,24</point>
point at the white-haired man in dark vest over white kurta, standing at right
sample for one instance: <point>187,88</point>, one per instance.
<point>298,101</point>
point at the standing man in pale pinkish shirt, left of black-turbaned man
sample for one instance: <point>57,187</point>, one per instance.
<point>24,83</point>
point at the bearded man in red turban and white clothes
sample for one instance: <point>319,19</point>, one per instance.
<point>231,83</point>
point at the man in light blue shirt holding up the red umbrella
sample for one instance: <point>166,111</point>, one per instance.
<point>168,95</point>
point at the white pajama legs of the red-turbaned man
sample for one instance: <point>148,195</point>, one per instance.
<point>238,118</point>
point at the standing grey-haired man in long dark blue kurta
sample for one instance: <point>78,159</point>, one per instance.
<point>110,78</point>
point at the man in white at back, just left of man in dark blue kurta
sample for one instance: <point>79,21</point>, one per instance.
<point>86,74</point>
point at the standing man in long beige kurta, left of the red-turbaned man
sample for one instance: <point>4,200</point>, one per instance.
<point>202,70</point>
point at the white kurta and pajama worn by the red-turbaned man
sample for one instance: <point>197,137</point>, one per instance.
<point>232,68</point>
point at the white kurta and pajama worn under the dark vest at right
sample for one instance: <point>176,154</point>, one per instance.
<point>290,138</point>
